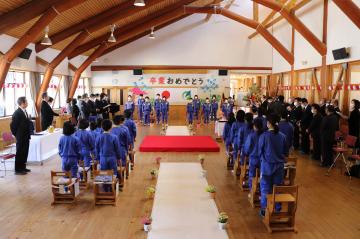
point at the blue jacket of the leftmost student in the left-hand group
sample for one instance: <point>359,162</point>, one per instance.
<point>69,147</point>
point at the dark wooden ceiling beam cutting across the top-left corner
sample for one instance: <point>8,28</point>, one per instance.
<point>24,13</point>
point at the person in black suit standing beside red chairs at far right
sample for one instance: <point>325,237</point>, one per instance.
<point>329,126</point>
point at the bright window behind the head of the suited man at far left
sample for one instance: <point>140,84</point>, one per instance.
<point>17,84</point>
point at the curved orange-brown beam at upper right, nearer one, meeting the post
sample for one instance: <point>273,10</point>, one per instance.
<point>297,24</point>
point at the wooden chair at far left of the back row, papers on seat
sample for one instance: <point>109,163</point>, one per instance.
<point>64,188</point>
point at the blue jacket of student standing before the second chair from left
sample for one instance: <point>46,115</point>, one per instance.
<point>107,145</point>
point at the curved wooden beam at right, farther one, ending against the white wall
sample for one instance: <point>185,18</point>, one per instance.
<point>289,57</point>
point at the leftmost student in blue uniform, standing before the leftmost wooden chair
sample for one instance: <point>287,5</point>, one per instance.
<point>69,150</point>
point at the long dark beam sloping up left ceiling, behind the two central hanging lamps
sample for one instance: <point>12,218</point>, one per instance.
<point>123,30</point>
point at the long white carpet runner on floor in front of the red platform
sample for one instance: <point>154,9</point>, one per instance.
<point>182,209</point>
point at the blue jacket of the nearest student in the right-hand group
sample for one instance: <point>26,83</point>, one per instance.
<point>273,149</point>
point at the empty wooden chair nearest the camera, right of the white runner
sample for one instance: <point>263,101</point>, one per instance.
<point>283,220</point>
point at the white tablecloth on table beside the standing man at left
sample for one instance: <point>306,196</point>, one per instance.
<point>44,146</point>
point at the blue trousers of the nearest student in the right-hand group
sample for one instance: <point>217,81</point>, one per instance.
<point>266,185</point>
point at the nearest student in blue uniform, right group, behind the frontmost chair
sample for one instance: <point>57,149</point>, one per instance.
<point>273,149</point>
